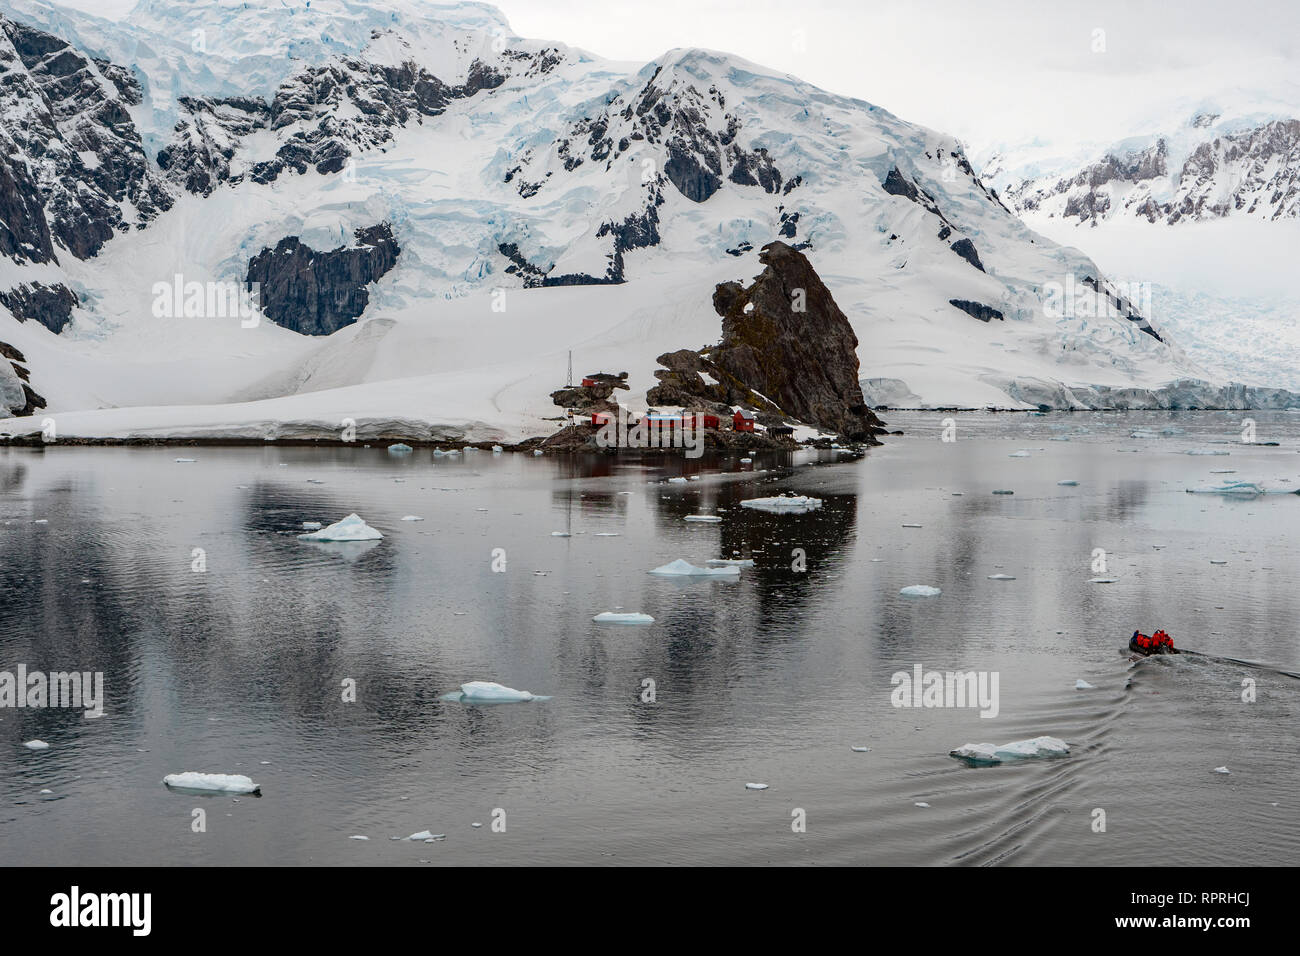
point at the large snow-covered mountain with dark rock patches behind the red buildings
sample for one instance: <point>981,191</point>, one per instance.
<point>436,213</point>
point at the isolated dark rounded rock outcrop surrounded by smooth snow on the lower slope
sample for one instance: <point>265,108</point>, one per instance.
<point>320,293</point>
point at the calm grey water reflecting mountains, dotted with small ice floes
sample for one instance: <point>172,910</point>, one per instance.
<point>770,680</point>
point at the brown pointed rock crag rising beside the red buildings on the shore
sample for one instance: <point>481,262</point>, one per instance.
<point>801,365</point>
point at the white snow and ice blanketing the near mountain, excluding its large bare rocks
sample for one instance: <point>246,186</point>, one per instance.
<point>452,347</point>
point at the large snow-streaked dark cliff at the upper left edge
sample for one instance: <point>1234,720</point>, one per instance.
<point>71,158</point>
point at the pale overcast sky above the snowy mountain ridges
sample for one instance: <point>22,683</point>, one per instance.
<point>999,71</point>
